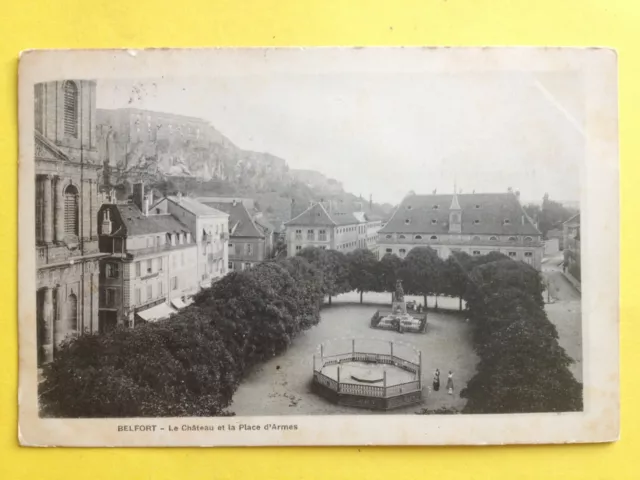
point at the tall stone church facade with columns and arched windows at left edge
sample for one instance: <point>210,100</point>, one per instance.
<point>66,204</point>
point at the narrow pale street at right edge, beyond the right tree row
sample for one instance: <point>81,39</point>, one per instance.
<point>564,311</point>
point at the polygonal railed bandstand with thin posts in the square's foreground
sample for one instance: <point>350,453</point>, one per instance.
<point>373,374</point>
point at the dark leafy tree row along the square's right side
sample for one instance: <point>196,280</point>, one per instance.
<point>522,367</point>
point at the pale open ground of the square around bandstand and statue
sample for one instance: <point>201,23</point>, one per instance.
<point>282,386</point>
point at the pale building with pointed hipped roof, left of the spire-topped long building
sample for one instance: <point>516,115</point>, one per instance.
<point>319,227</point>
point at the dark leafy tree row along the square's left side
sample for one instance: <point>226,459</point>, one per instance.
<point>192,363</point>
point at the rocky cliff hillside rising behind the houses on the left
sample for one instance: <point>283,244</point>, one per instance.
<point>212,165</point>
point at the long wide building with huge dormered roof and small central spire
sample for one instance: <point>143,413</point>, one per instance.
<point>475,223</point>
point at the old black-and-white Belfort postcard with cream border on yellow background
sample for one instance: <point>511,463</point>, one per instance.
<point>322,246</point>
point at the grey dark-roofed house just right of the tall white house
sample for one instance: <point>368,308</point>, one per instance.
<point>250,242</point>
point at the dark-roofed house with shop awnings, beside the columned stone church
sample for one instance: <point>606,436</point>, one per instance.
<point>151,268</point>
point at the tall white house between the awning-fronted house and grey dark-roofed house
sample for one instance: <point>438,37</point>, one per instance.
<point>209,228</point>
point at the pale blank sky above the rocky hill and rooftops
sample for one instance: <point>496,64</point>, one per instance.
<point>386,134</point>
